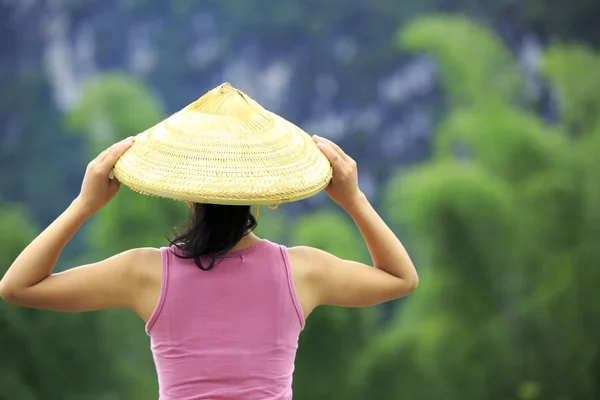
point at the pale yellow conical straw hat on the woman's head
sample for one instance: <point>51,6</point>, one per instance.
<point>225,148</point>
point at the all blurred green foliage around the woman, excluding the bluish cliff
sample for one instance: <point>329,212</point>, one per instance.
<point>503,221</point>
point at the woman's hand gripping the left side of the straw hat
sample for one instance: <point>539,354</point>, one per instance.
<point>98,188</point>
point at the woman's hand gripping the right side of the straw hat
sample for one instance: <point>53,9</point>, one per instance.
<point>343,188</point>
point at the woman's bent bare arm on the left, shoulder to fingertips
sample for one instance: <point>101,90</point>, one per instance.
<point>29,281</point>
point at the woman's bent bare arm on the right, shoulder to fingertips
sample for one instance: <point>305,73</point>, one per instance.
<point>334,281</point>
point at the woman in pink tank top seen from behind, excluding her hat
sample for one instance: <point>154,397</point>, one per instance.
<point>224,308</point>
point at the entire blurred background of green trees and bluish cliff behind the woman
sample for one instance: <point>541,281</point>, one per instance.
<point>476,127</point>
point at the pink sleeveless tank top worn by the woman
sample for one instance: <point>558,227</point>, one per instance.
<point>228,333</point>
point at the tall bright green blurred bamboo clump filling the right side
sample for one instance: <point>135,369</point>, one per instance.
<point>505,216</point>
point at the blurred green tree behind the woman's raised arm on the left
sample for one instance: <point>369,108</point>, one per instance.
<point>113,107</point>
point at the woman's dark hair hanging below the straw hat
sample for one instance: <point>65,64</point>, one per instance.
<point>212,231</point>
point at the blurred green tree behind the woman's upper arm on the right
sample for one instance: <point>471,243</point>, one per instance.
<point>333,337</point>
